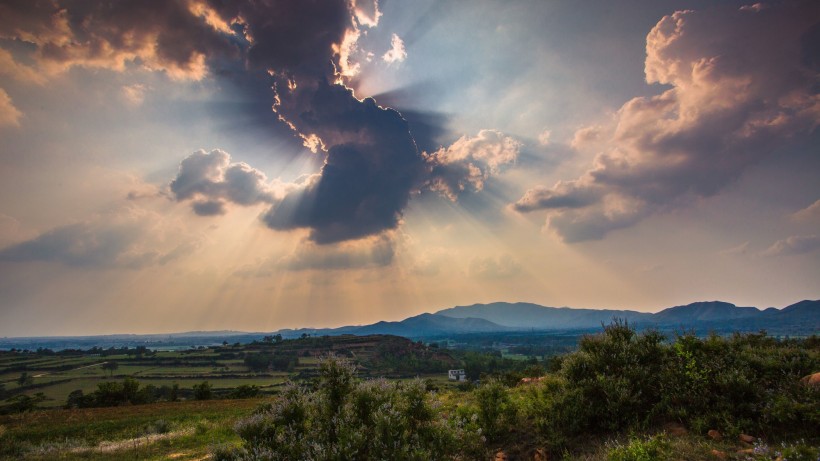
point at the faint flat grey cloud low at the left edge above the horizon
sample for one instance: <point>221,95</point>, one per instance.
<point>123,240</point>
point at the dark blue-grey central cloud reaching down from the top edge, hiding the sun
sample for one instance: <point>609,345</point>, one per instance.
<point>372,162</point>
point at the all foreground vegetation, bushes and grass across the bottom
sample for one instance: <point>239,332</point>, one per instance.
<point>622,395</point>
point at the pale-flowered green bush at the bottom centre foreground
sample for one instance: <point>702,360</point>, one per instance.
<point>349,419</point>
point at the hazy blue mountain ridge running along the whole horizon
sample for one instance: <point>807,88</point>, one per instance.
<point>802,318</point>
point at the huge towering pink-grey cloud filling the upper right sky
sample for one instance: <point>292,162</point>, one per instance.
<point>743,82</point>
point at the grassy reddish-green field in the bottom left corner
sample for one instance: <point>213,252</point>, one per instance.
<point>179,430</point>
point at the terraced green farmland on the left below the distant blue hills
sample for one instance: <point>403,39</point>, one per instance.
<point>223,367</point>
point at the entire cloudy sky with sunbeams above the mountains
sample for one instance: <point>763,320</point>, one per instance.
<point>185,165</point>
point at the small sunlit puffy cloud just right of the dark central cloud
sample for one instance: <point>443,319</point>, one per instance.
<point>470,161</point>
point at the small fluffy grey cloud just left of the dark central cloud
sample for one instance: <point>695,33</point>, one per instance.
<point>211,179</point>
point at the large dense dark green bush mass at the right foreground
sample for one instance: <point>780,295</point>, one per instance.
<point>622,380</point>
